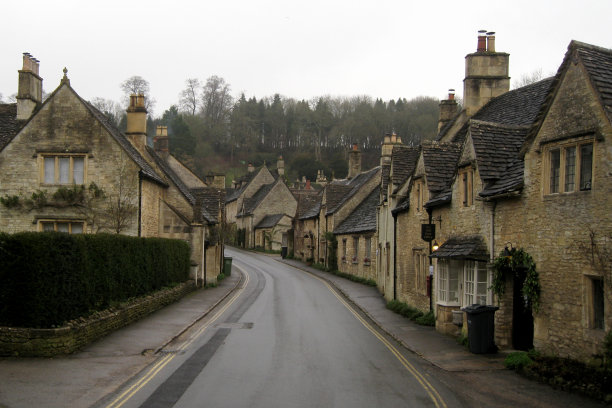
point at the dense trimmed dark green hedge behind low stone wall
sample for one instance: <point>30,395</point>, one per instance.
<point>49,278</point>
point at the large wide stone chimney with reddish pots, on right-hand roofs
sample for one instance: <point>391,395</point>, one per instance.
<point>486,74</point>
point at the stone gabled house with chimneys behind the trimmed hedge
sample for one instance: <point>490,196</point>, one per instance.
<point>65,167</point>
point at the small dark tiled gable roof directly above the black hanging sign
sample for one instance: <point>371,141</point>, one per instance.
<point>440,163</point>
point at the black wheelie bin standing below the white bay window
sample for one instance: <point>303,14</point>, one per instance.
<point>481,328</point>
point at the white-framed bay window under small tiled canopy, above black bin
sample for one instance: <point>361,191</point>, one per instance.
<point>463,283</point>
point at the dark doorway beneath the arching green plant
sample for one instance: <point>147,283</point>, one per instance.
<point>522,318</point>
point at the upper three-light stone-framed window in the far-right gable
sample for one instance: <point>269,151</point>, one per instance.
<point>570,168</point>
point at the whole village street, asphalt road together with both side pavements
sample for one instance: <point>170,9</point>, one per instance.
<point>283,336</point>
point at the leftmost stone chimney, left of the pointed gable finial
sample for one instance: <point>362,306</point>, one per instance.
<point>29,89</point>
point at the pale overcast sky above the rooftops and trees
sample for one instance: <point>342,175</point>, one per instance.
<point>300,49</point>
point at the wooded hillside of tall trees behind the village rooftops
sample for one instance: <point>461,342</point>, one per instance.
<point>211,131</point>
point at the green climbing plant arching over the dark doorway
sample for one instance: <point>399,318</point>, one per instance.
<point>518,259</point>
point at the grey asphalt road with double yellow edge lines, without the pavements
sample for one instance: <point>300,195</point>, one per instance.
<point>285,339</point>
